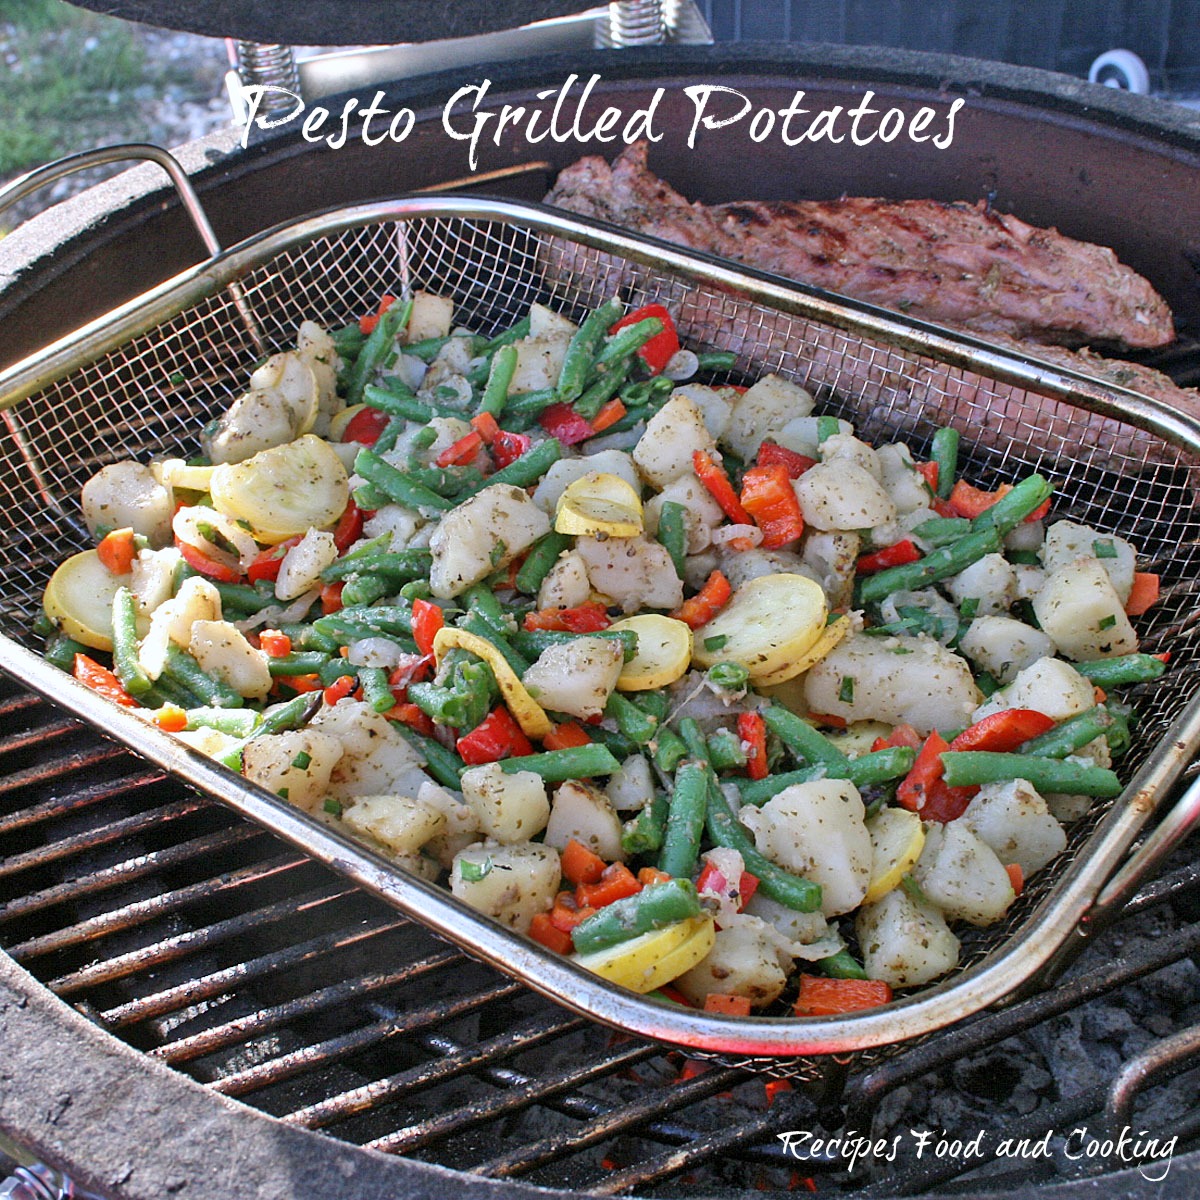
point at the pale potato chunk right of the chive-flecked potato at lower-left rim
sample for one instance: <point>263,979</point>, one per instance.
<point>379,760</point>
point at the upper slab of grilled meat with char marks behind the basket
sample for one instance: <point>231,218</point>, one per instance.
<point>956,265</point>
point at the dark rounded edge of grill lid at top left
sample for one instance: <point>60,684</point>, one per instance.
<point>337,22</point>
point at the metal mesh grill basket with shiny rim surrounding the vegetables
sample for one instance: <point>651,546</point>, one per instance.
<point>142,383</point>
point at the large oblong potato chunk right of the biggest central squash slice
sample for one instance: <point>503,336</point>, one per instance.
<point>896,680</point>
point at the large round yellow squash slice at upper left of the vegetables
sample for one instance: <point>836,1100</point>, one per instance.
<point>284,491</point>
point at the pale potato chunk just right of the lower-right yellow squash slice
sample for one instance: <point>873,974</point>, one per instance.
<point>962,875</point>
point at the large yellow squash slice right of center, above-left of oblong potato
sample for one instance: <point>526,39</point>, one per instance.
<point>767,627</point>
